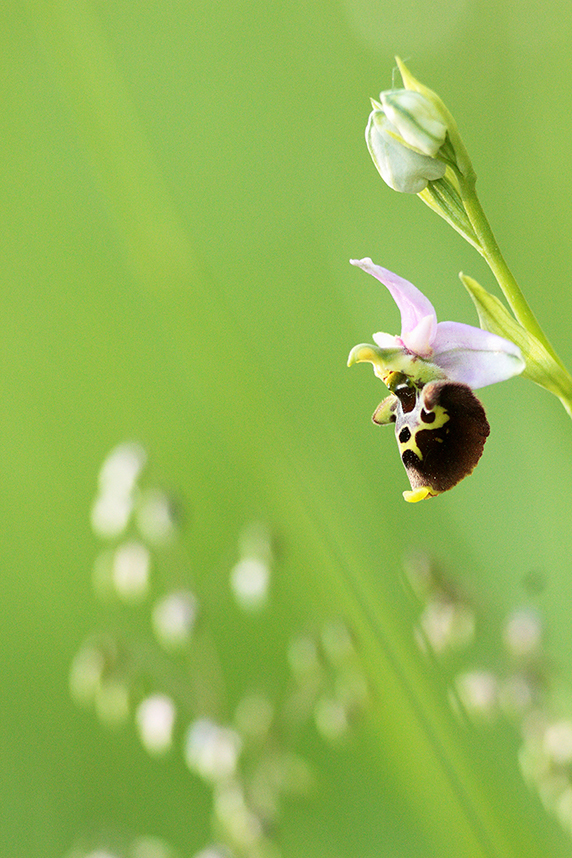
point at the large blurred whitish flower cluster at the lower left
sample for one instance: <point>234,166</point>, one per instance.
<point>241,757</point>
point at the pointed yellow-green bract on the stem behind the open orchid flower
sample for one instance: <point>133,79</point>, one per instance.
<point>541,367</point>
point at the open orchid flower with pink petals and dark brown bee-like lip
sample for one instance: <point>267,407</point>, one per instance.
<point>431,369</point>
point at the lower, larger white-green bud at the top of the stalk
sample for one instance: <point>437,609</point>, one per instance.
<point>404,169</point>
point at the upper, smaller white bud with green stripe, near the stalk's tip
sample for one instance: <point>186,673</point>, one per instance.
<point>416,119</point>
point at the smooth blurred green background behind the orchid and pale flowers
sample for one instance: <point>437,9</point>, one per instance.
<point>183,184</point>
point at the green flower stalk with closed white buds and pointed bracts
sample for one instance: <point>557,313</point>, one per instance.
<point>437,167</point>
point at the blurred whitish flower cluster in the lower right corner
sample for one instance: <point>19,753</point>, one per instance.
<point>518,686</point>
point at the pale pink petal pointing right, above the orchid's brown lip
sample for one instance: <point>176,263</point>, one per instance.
<point>473,356</point>
